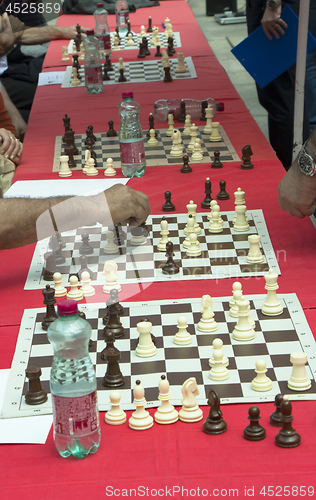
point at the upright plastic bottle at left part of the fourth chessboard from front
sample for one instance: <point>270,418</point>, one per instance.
<point>92,64</point>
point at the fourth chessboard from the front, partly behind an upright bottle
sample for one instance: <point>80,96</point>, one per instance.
<point>137,72</point>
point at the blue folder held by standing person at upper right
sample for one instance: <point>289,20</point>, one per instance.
<point>266,59</point>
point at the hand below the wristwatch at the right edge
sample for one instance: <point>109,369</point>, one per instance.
<point>297,193</point>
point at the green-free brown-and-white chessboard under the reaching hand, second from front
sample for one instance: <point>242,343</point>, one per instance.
<point>223,255</point>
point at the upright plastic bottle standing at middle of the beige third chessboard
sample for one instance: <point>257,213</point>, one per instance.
<point>131,138</point>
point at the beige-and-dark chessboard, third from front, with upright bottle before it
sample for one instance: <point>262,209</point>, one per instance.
<point>109,147</point>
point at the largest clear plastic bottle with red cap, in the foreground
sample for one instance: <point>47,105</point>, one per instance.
<point>73,384</point>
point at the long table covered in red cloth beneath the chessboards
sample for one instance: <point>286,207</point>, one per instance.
<point>178,460</point>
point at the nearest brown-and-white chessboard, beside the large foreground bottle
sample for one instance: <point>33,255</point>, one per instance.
<point>277,337</point>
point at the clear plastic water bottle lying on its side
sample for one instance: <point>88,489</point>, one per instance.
<point>192,107</point>
